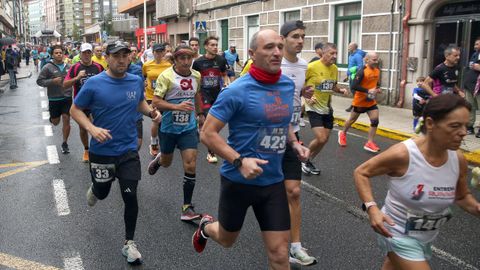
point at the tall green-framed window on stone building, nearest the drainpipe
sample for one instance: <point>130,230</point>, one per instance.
<point>347,29</point>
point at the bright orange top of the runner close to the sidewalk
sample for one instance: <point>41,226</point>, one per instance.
<point>368,78</point>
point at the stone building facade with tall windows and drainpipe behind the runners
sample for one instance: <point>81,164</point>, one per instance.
<point>408,35</point>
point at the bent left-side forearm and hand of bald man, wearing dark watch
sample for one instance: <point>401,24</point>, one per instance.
<point>210,136</point>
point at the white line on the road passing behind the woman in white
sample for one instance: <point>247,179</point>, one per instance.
<point>441,254</point>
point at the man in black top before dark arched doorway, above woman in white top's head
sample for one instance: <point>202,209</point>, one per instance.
<point>444,78</point>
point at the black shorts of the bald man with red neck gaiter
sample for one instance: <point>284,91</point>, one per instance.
<point>269,204</point>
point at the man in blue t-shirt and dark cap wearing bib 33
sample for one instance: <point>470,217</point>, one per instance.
<point>114,97</point>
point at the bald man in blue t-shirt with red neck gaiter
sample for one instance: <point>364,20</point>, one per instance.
<point>258,108</point>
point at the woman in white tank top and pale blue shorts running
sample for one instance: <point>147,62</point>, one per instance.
<point>426,175</point>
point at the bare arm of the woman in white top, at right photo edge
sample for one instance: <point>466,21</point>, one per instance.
<point>463,196</point>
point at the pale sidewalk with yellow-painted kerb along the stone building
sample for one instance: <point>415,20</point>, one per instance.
<point>397,124</point>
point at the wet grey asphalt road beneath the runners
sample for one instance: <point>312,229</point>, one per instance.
<point>43,225</point>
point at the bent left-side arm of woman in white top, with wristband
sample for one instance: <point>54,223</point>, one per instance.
<point>392,162</point>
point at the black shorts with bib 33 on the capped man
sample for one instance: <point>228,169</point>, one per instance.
<point>106,168</point>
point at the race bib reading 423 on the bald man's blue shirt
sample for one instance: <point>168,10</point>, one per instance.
<point>272,140</point>
